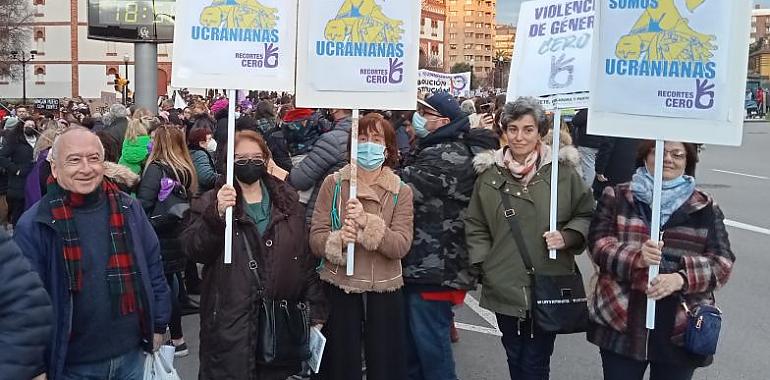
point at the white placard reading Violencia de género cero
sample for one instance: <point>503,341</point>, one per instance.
<point>552,53</point>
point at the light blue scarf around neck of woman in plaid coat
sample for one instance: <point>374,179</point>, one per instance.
<point>675,192</point>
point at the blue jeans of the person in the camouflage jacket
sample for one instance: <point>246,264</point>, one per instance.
<point>429,346</point>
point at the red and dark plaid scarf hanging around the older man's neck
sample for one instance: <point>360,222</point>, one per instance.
<point>123,276</point>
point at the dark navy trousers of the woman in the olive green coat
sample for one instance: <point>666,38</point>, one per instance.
<point>529,352</point>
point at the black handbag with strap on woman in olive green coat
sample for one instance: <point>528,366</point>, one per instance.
<point>559,303</point>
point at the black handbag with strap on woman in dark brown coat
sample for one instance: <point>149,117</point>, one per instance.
<point>283,327</point>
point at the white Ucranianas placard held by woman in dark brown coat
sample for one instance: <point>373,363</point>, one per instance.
<point>235,44</point>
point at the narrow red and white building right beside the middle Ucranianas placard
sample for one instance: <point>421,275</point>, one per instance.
<point>432,34</point>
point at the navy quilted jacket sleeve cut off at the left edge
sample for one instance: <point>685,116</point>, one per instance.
<point>25,315</point>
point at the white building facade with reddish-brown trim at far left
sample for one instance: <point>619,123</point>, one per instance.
<point>68,64</point>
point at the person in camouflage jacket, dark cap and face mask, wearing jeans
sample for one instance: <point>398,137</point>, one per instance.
<point>437,270</point>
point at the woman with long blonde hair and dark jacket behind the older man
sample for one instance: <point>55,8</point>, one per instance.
<point>167,186</point>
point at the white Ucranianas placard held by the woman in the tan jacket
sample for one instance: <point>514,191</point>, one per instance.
<point>358,54</point>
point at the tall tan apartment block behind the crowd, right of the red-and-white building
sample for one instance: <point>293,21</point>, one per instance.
<point>471,35</point>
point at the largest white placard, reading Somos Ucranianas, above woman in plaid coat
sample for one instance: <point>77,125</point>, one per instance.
<point>674,70</point>
